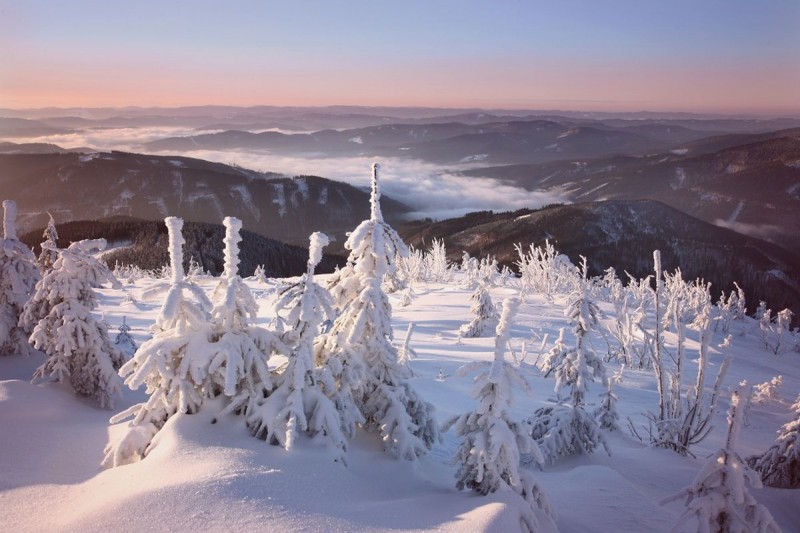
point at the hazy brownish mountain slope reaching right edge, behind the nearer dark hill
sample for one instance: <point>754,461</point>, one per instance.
<point>752,187</point>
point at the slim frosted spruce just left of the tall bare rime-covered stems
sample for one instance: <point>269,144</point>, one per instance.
<point>567,429</point>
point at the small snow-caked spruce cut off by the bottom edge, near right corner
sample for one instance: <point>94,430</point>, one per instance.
<point>718,499</point>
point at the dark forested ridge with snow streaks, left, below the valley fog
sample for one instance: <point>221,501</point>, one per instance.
<point>94,186</point>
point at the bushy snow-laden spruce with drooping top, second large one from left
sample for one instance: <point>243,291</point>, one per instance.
<point>60,317</point>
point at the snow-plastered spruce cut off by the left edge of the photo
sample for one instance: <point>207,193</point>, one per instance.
<point>18,277</point>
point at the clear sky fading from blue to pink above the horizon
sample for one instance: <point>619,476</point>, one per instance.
<point>717,56</point>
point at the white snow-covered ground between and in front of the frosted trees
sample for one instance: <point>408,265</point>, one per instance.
<point>216,477</point>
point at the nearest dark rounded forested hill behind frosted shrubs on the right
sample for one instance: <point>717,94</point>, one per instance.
<point>623,234</point>
